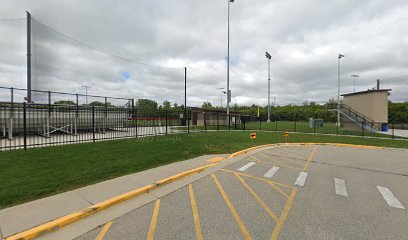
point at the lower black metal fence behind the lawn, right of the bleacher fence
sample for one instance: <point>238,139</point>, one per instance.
<point>220,121</point>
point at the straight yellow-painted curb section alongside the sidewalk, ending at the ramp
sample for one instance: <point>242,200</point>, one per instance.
<point>73,217</point>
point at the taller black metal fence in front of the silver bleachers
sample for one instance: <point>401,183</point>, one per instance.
<point>26,125</point>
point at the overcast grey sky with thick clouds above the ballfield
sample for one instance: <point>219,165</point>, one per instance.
<point>304,38</point>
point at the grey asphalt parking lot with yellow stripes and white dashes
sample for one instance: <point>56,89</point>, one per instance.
<point>283,192</point>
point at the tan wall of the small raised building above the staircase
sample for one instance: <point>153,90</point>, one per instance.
<point>373,105</point>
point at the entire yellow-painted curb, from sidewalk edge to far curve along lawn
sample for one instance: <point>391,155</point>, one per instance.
<point>73,217</point>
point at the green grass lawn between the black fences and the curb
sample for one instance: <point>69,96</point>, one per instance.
<point>35,173</point>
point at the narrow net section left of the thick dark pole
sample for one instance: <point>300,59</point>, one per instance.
<point>12,56</point>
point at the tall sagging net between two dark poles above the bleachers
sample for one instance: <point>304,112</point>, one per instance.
<point>64,64</point>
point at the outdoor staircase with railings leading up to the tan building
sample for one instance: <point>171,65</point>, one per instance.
<point>358,118</point>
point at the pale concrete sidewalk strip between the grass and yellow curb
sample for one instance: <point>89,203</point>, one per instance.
<point>22,217</point>
